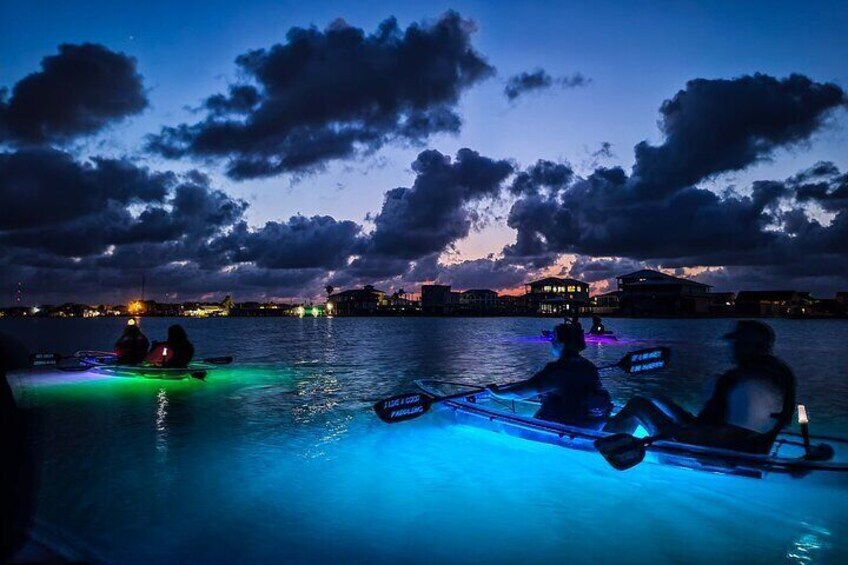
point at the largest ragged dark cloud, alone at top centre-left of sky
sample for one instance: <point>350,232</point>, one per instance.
<point>325,95</point>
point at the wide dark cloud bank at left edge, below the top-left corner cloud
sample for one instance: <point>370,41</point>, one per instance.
<point>77,209</point>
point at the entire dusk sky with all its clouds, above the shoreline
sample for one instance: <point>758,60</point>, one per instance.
<point>267,149</point>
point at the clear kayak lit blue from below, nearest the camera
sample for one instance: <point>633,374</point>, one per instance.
<point>515,418</point>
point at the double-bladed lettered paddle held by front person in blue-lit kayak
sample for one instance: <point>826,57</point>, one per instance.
<point>409,406</point>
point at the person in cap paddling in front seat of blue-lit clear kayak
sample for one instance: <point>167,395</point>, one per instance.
<point>570,388</point>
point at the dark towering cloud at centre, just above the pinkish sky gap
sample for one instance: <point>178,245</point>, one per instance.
<point>434,212</point>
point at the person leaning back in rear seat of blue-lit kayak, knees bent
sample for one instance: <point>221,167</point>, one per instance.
<point>751,403</point>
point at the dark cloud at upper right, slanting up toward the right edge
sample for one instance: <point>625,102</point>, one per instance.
<point>715,126</point>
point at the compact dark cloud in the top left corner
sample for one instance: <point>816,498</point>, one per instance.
<point>77,92</point>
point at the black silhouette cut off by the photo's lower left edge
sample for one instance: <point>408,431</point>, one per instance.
<point>17,472</point>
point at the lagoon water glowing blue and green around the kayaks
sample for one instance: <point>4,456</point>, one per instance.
<point>279,457</point>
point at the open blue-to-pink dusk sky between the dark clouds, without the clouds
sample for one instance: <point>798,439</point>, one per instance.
<point>633,56</point>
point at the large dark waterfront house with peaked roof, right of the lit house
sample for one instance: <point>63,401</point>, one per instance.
<point>652,293</point>
